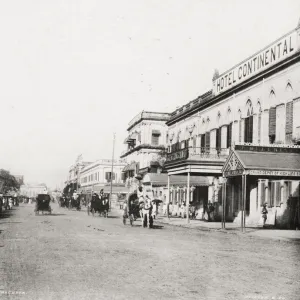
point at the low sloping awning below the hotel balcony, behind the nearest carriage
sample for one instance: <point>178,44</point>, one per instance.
<point>175,180</point>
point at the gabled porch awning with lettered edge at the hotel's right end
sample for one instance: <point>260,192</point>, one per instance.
<point>263,161</point>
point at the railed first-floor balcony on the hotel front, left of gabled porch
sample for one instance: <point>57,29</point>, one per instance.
<point>200,154</point>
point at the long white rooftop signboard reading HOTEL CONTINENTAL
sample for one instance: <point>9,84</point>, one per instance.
<point>269,56</point>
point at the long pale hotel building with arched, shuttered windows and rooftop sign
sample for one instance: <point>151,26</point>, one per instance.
<point>241,136</point>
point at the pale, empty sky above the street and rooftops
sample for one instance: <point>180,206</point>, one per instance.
<point>72,72</point>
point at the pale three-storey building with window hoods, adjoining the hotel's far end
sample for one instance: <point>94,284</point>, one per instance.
<point>145,142</point>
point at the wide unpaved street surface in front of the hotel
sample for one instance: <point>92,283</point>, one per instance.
<point>70,255</point>
